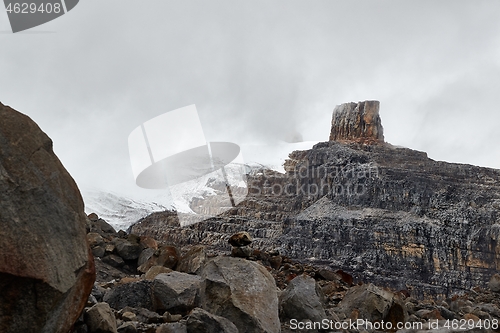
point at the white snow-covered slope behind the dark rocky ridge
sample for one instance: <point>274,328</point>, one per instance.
<point>203,195</point>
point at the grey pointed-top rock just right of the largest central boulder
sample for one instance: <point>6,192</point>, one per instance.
<point>302,299</point>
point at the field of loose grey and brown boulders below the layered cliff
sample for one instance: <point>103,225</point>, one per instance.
<point>202,289</point>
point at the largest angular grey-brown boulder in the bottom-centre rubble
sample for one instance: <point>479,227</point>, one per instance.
<point>243,292</point>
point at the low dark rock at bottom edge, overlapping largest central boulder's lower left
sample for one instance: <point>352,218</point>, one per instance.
<point>200,320</point>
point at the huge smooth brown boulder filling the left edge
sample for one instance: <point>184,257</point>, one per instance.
<point>46,268</point>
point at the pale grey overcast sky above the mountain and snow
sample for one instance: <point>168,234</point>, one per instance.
<point>258,72</point>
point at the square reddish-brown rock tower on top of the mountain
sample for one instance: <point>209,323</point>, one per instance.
<point>357,122</point>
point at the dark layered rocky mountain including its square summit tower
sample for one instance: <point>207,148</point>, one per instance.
<point>385,214</point>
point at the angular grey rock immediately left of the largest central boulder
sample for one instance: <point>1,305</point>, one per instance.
<point>177,292</point>
